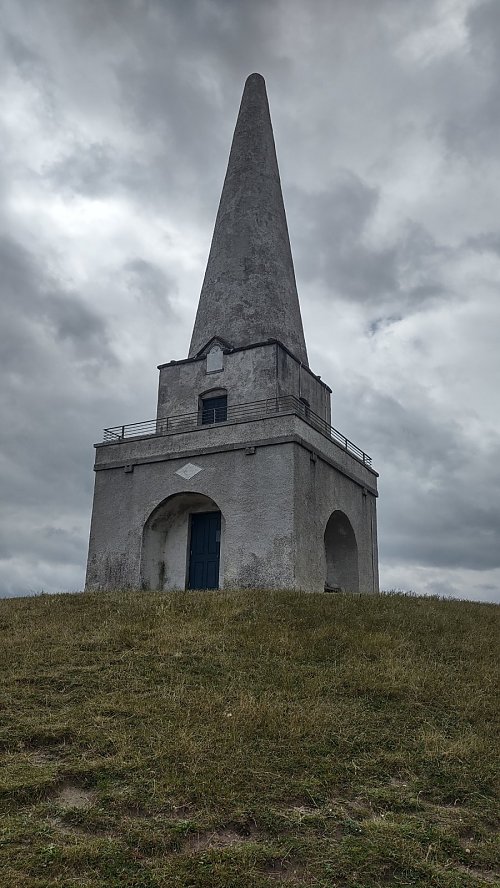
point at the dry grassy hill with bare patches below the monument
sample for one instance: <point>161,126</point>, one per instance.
<point>248,739</point>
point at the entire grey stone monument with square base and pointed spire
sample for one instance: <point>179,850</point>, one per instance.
<point>240,481</point>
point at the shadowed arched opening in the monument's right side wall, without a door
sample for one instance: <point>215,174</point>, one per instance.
<point>341,554</point>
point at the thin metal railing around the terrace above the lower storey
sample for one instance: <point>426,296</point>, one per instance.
<point>236,413</point>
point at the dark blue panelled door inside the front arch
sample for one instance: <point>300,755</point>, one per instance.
<point>204,555</point>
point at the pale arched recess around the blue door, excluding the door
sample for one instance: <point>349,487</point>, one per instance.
<point>166,540</point>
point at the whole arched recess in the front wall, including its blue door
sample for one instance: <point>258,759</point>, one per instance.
<point>181,544</point>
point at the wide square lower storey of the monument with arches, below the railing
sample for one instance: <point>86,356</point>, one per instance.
<point>296,511</point>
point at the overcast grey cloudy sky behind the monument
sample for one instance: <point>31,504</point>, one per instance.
<point>116,118</point>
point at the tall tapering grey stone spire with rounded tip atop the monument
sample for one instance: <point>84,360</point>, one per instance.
<point>249,292</point>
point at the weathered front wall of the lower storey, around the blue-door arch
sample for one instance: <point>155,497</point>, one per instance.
<point>254,493</point>
